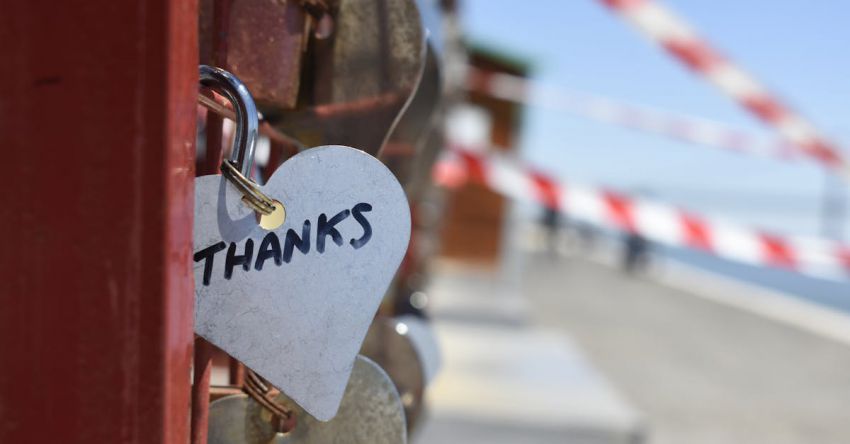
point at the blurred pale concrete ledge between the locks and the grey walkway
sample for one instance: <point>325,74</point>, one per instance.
<point>506,381</point>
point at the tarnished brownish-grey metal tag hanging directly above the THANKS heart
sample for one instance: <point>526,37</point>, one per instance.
<point>364,76</point>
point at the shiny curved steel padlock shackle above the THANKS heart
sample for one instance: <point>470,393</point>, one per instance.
<point>247,122</point>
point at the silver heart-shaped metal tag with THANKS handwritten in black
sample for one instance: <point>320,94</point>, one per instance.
<point>294,303</point>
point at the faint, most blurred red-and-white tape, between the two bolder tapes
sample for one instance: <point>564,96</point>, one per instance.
<point>642,118</point>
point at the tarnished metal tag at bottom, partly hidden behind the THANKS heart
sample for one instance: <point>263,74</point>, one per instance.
<point>371,413</point>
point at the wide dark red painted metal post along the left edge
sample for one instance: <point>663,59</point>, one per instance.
<point>97,123</point>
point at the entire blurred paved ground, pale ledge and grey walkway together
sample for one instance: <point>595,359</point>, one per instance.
<point>557,349</point>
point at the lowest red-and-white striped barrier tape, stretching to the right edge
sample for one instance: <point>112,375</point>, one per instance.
<point>656,221</point>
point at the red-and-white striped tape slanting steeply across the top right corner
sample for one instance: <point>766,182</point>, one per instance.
<point>680,40</point>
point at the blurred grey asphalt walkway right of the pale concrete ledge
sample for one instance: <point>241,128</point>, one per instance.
<point>700,371</point>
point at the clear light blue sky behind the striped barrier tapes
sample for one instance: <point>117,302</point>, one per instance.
<point>797,48</point>
